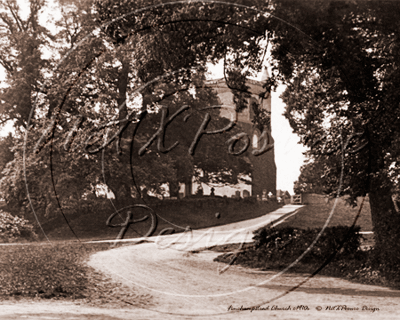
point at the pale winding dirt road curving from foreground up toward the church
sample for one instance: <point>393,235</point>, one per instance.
<point>187,284</point>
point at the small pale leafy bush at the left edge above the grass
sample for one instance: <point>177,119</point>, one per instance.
<point>13,228</point>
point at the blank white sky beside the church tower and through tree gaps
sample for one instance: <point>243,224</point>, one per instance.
<point>288,152</point>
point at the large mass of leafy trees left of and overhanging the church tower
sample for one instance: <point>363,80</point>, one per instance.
<point>88,103</point>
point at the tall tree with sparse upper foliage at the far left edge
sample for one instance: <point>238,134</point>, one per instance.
<point>22,40</point>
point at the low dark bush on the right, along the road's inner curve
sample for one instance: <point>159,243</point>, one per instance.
<point>276,249</point>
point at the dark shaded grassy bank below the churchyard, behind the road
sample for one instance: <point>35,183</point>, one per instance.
<point>196,214</point>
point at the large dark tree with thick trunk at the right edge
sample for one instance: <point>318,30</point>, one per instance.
<point>342,99</point>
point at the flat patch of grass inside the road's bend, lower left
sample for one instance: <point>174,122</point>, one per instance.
<point>58,271</point>
